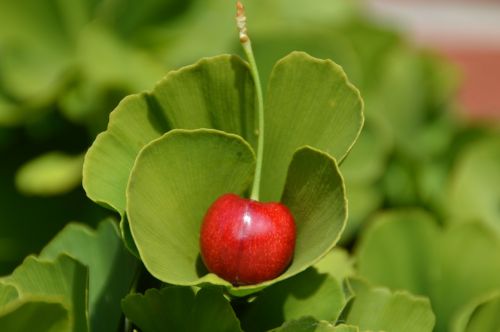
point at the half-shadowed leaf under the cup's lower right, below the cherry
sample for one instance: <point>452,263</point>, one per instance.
<point>306,294</point>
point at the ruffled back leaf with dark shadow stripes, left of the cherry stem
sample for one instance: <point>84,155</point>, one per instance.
<point>214,93</point>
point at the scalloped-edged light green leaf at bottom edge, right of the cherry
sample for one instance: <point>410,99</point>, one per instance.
<point>380,310</point>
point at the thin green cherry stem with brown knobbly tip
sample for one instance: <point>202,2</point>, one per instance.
<point>247,48</point>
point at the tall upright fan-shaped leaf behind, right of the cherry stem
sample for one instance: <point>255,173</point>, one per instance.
<point>309,102</point>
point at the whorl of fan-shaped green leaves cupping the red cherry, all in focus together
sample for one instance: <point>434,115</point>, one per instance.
<point>165,203</point>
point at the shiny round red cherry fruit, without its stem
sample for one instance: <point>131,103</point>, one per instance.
<point>245,241</point>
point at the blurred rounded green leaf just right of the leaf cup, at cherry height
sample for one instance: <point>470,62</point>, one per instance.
<point>414,234</point>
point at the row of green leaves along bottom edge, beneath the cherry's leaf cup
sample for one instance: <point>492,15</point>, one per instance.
<point>309,301</point>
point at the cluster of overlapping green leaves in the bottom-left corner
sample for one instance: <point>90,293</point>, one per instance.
<point>75,284</point>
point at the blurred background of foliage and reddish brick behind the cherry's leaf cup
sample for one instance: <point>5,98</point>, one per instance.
<point>427,70</point>
